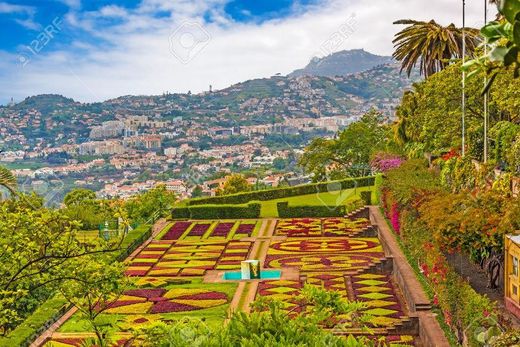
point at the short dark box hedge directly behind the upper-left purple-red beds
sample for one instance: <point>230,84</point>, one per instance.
<point>251,210</point>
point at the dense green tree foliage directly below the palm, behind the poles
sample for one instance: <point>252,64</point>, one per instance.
<point>429,116</point>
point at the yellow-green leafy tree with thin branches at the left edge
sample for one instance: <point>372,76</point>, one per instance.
<point>39,249</point>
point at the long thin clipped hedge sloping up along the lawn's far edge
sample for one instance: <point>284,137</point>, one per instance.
<point>280,193</point>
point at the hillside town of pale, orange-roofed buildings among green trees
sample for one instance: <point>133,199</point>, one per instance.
<point>126,145</point>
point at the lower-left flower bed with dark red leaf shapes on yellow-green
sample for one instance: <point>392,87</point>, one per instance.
<point>173,299</point>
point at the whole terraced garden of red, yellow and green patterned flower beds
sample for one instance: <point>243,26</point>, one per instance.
<point>178,273</point>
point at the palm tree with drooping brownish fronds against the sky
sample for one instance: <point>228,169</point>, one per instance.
<point>431,45</point>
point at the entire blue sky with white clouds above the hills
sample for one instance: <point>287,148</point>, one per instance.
<point>94,50</point>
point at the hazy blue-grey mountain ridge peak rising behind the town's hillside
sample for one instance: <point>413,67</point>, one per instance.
<point>342,63</point>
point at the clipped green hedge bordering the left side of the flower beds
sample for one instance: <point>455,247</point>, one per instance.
<point>51,310</point>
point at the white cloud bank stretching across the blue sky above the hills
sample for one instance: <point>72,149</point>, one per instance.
<point>140,61</point>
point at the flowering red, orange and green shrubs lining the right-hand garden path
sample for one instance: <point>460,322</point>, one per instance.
<point>432,220</point>
